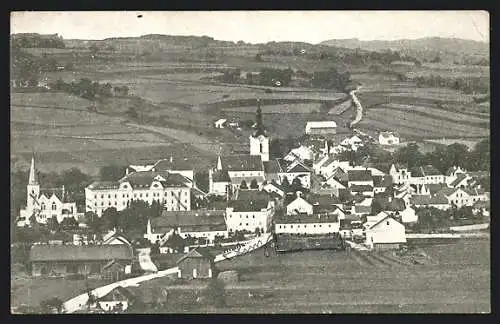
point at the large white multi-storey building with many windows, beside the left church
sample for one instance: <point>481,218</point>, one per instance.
<point>170,189</point>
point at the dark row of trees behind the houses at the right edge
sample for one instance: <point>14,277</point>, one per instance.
<point>442,158</point>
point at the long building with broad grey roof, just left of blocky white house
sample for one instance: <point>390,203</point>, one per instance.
<point>201,224</point>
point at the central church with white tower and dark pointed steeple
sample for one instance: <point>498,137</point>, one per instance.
<point>234,171</point>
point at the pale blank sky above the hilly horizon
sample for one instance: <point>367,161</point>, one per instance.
<point>258,26</point>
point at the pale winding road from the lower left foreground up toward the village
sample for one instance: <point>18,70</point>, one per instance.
<point>79,302</point>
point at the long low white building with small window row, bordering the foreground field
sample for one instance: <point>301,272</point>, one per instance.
<point>326,223</point>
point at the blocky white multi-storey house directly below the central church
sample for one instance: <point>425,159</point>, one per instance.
<point>250,213</point>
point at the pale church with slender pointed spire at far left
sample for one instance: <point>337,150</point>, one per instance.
<point>44,203</point>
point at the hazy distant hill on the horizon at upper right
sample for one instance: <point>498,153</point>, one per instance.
<point>428,48</point>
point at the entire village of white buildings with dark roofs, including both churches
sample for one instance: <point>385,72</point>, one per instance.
<point>309,198</point>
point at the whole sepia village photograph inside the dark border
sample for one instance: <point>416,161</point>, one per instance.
<point>250,162</point>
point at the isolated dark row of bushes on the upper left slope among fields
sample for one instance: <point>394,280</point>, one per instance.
<point>89,89</point>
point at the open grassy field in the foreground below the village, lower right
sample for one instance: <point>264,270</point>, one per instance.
<point>454,279</point>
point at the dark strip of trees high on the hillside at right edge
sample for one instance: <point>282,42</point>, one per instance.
<point>467,85</point>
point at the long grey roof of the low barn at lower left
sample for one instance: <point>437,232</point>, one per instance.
<point>80,253</point>
